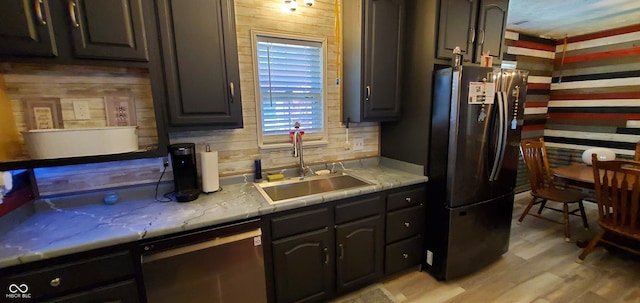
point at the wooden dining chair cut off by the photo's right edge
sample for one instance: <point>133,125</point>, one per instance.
<point>617,186</point>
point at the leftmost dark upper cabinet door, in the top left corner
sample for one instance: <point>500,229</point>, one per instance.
<point>26,28</point>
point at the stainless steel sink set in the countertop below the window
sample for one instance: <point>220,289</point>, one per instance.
<point>281,191</point>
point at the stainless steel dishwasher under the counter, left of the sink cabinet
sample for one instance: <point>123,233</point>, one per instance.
<point>217,265</point>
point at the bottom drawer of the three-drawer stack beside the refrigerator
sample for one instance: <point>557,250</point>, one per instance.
<point>403,254</point>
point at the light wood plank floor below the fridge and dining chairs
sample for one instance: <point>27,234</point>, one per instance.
<point>539,267</point>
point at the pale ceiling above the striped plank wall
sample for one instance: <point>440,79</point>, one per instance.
<point>556,18</point>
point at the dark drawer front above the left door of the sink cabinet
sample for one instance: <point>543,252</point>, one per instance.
<point>300,222</point>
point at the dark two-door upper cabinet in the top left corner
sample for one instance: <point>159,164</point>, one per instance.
<point>70,29</point>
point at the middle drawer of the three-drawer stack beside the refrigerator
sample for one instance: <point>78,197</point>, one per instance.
<point>405,223</point>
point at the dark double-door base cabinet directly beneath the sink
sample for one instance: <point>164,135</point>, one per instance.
<point>343,251</point>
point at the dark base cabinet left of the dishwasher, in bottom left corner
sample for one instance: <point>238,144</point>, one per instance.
<point>102,275</point>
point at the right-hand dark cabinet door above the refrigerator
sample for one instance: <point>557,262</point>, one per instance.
<point>491,25</point>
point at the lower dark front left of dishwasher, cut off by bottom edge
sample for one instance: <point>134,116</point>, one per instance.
<point>123,292</point>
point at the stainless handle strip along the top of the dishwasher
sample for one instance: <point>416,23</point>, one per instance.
<point>202,245</point>
